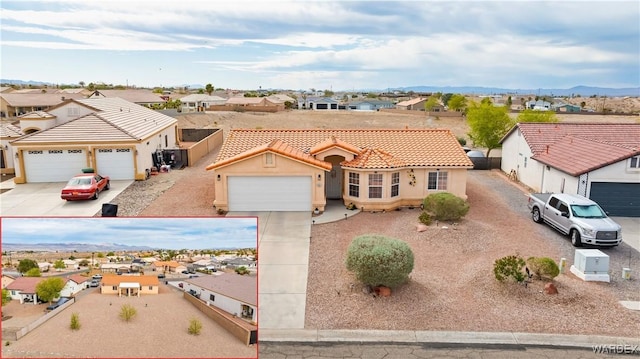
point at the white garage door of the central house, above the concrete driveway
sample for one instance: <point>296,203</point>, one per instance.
<point>273,193</point>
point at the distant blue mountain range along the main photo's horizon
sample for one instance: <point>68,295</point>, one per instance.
<point>583,91</point>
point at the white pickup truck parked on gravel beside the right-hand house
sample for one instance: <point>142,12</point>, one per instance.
<point>579,217</point>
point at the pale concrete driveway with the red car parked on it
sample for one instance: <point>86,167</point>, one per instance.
<point>43,199</point>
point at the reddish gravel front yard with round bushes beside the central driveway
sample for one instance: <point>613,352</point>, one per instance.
<point>452,285</point>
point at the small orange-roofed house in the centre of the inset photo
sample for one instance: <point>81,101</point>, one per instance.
<point>129,285</point>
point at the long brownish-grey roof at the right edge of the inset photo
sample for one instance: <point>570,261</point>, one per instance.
<point>240,287</point>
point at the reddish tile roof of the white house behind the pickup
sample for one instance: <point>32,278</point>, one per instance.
<point>577,148</point>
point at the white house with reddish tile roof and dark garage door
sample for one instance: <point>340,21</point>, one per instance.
<point>600,161</point>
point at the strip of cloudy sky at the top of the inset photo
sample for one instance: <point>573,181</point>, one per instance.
<point>166,233</point>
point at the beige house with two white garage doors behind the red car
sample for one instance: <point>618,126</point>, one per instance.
<point>114,136</point>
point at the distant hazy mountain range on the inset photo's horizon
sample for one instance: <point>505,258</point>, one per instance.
<point>70,247</point>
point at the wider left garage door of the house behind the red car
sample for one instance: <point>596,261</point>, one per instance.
<point>53,165</point>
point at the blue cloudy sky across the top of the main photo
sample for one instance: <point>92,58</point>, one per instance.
<point>338,45</point>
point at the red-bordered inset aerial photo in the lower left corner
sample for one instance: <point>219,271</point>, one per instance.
<point>129,287</point>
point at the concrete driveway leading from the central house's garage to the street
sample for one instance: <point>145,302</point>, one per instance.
<point>283,243</point>
